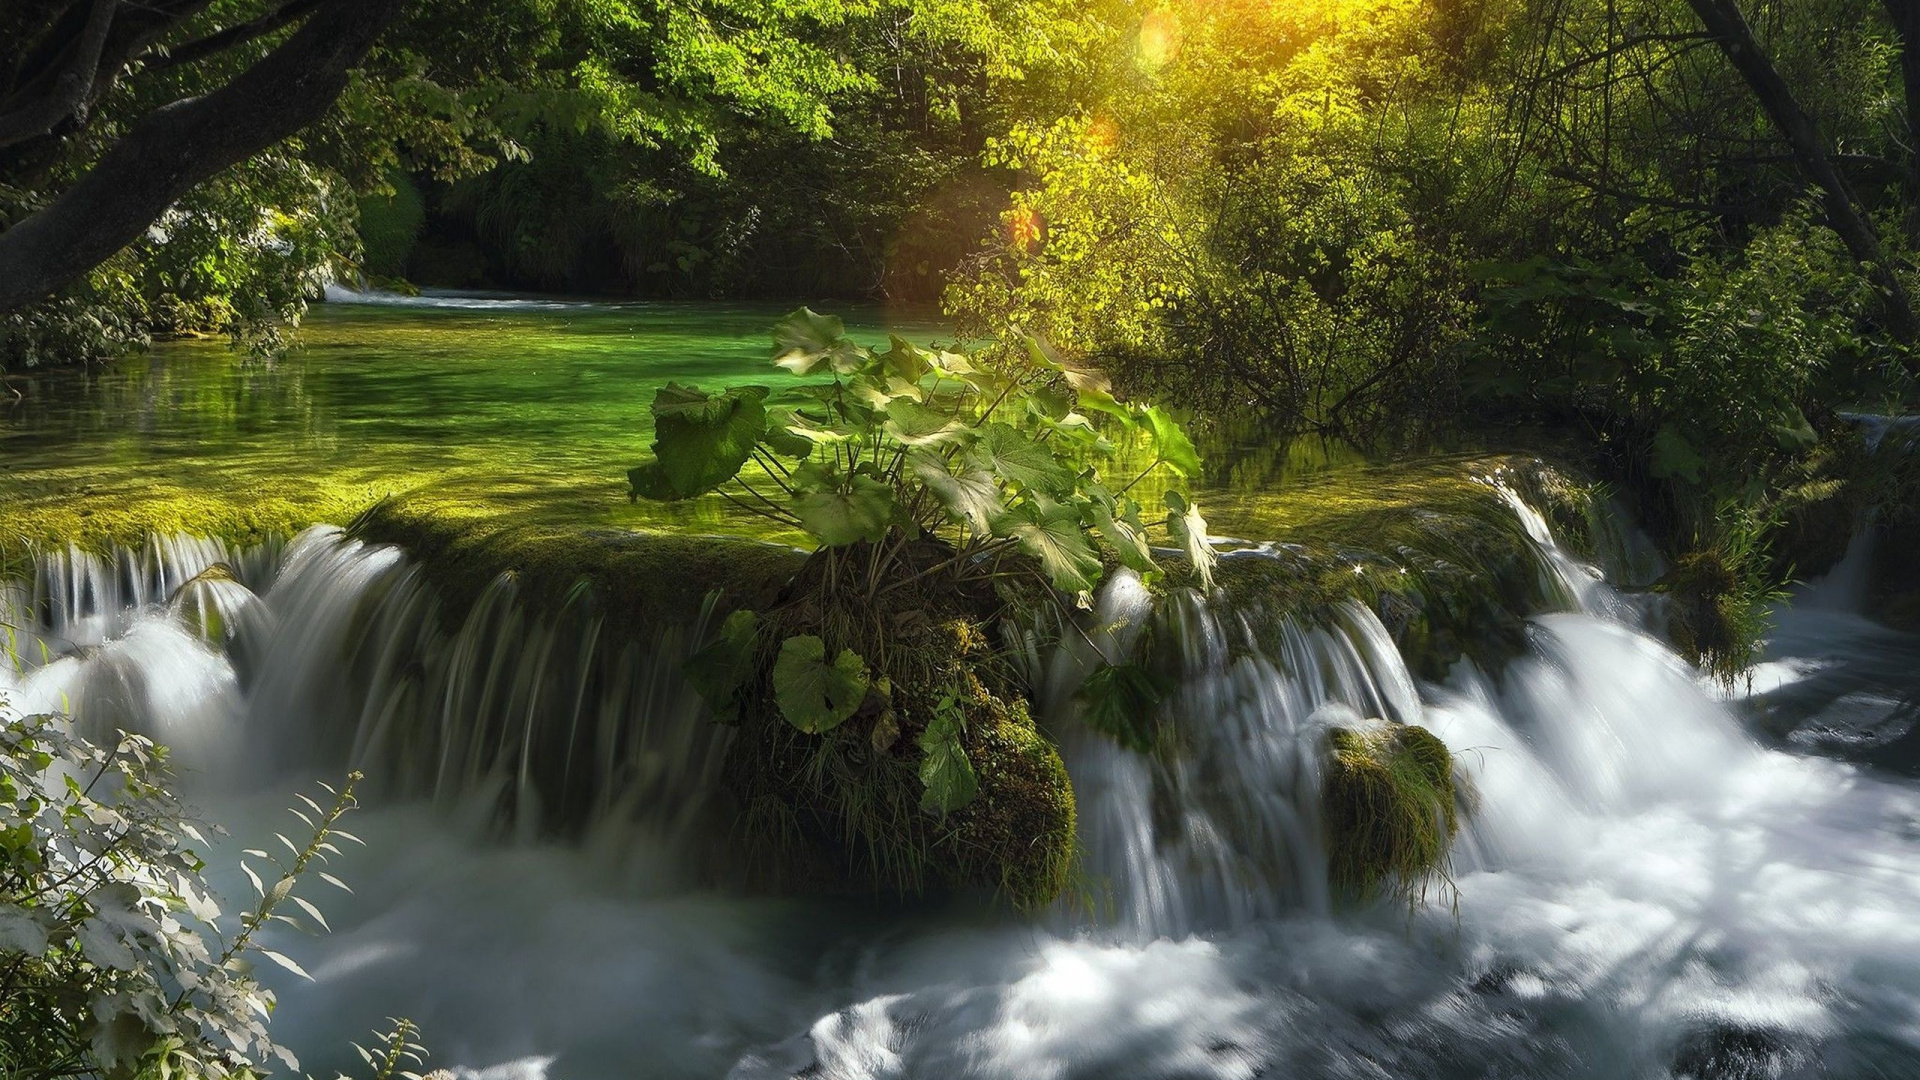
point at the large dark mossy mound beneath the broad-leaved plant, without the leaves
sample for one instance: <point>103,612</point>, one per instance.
<point>844,810</point>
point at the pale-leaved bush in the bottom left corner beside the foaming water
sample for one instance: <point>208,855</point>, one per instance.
<point>118,956</point>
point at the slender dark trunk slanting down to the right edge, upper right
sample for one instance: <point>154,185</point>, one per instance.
<point>1729,28</point>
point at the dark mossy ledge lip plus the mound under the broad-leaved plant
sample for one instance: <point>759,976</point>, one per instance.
<point>815,812</point>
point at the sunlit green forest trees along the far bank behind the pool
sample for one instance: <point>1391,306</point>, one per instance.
<point>1687,230</point>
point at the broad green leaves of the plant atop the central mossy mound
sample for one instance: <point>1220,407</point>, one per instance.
<point>905,445</point>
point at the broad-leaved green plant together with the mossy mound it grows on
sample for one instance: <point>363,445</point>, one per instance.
<point>884,741</point>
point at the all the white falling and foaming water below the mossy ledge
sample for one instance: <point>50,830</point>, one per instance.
<point>1644,891</point>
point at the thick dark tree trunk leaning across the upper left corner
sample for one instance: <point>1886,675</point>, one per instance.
<point>178,147</point>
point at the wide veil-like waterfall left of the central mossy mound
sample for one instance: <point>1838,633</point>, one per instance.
<point>327,652</point>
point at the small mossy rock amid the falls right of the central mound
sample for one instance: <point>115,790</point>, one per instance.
<point>1389,808</point>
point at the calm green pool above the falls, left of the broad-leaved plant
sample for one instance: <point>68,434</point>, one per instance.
<point>500,406</point>
